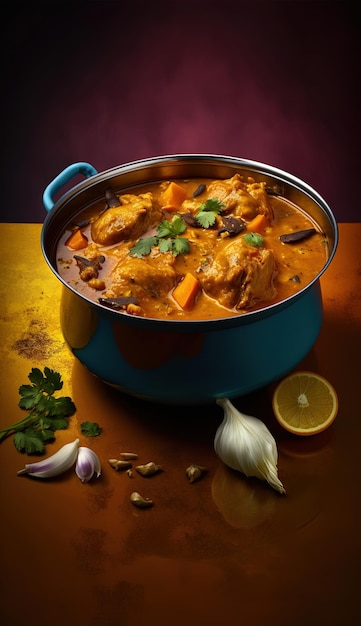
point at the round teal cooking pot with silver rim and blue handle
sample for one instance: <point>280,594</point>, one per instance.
<point>178,361</point>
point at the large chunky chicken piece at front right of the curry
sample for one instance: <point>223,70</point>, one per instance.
<point>240,276</point>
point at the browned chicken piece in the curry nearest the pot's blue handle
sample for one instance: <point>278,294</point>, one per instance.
<point>130,220</point>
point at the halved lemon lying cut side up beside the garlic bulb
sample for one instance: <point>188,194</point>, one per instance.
<point>305,403</point>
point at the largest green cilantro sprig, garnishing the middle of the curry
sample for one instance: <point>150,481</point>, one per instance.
<point>167,239</point>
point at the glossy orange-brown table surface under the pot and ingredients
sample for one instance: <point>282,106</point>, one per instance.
<point>223,550</point>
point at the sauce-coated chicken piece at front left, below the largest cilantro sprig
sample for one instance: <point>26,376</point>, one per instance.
<point>143,278</point>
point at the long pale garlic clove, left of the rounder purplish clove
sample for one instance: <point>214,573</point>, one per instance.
<point>55,464</point>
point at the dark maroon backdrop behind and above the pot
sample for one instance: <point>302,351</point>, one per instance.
<point>111,82</point>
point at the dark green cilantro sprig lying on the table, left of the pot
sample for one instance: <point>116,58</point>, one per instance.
<point>46,413</point>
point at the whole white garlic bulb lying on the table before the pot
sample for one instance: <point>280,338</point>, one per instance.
<point>245,444</point>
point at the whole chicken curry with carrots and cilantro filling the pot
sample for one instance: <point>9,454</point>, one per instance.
<point>191,249</point>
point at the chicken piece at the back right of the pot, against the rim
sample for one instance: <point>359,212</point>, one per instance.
<point>241,199</point>
